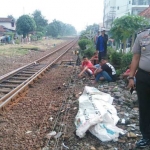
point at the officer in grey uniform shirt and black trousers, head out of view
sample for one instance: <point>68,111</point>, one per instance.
<point>141,61</point>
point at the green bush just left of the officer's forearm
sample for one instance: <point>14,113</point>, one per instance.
<point>126,59</point>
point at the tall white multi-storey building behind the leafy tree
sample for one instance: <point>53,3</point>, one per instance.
<point>116,8</point>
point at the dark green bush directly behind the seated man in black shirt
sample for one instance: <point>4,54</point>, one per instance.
<point>115,58</point>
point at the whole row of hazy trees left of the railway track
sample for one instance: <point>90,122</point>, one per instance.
<point>38,26</point>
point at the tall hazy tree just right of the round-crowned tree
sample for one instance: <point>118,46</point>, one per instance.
<point>40,21</point>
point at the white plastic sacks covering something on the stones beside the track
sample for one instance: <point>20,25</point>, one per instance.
<point>98,115</point>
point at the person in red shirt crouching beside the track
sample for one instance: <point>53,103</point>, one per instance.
<point>86,67</point>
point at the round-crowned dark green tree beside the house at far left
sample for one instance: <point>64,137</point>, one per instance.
<point>24,25</point>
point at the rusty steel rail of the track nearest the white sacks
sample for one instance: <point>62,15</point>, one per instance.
<point>14,93</point>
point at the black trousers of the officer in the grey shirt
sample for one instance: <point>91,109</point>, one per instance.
<point>143,93</point>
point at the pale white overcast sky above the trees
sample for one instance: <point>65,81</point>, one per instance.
<point>78,13</point>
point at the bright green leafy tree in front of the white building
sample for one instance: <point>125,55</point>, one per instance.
<point>127,26</point>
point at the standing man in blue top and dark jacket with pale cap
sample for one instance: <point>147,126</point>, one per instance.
<point>101,45</point>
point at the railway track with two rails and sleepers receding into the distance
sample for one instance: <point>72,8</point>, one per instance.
<point>17,82</point>
